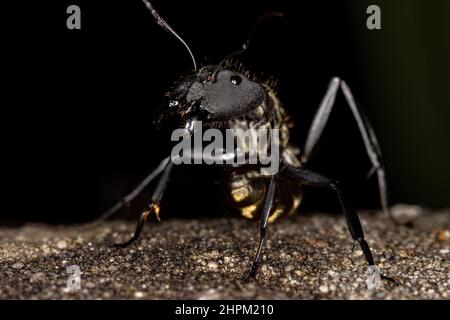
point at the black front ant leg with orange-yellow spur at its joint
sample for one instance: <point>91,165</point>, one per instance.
<point>153,206</point>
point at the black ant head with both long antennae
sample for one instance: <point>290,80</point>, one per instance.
<point>214,93</point>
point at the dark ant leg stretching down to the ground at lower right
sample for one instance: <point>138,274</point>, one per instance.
<point>312,178</point>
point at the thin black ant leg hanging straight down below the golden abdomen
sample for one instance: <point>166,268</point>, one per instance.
<point>263,225</point>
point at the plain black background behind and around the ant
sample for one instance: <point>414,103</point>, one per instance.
<point>77,104</point>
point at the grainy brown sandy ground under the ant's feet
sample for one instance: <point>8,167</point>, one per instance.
<point>306,257</point>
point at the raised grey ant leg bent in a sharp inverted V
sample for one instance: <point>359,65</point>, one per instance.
<point>365,128</point>
